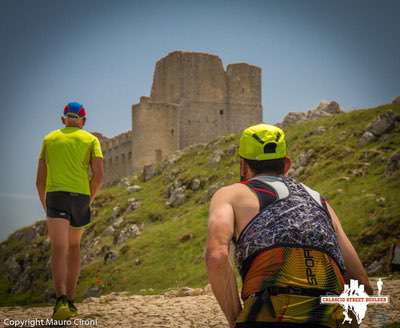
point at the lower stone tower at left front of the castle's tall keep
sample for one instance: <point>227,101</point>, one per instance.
<point>155,128</point>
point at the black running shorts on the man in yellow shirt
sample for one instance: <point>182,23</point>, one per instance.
<point>71,206</point>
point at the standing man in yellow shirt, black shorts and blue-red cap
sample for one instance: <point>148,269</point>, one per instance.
<point>66,192</point>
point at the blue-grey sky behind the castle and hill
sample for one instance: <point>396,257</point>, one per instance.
<point>102,53</point>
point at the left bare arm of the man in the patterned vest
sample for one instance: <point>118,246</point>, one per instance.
<point>220,271</point>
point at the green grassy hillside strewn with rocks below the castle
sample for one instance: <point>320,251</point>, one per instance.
<point>168,252</point>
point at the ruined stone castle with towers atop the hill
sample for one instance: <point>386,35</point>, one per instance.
<point>193,100</point>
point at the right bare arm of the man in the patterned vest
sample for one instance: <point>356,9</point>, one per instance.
<point>352,262</point>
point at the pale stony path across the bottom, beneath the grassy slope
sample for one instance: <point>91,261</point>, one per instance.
<point>201,311</point>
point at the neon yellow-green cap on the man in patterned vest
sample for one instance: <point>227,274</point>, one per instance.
<point>262,142</point>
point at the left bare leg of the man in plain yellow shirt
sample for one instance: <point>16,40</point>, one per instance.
<point>58,229</point>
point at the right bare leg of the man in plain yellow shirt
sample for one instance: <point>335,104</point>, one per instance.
<point>74,261</point>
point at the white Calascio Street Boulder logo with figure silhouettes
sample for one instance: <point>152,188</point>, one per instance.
<point>355,299</point>
